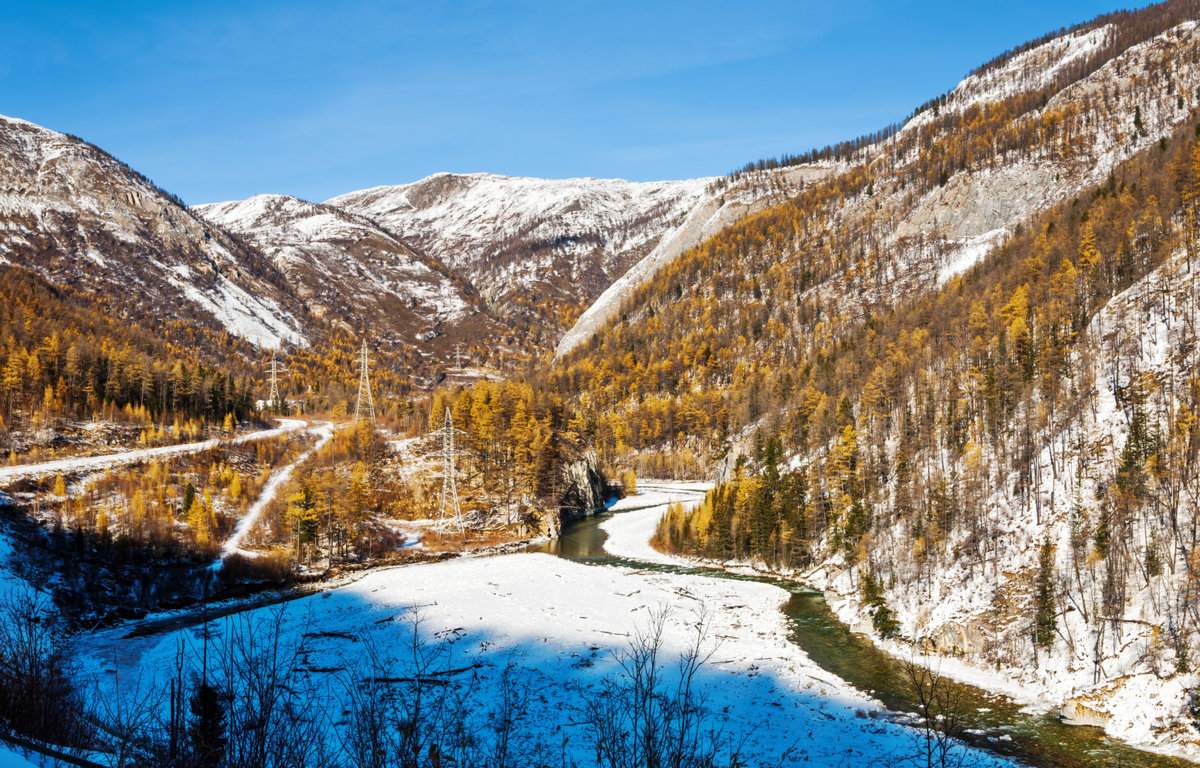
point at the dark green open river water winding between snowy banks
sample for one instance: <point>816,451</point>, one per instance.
<point>1036,740</point>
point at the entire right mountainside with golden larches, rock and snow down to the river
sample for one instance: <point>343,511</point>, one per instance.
<point>953,382</point>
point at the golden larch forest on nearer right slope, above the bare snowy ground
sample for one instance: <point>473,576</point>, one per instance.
<point>957,371</point>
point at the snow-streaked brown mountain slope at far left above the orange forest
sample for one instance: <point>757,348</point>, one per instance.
<point>80,218</point>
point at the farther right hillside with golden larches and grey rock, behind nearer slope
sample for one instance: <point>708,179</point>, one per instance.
<point>725,334</point>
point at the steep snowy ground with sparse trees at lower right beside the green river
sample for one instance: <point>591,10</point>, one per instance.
<point>1120,674</point>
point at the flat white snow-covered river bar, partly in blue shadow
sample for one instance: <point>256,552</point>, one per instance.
<point>553,627</point>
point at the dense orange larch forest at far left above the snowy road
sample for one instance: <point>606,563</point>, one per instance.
<point>69,355</point>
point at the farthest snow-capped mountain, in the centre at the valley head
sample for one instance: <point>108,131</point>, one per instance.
<point>526,243</point>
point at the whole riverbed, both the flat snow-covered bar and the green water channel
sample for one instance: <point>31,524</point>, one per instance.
<point>796,682</point>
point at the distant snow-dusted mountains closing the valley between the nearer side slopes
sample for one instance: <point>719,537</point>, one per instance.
<point>482,259</point>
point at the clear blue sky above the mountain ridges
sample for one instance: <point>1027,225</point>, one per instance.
<point>224,100</point>
